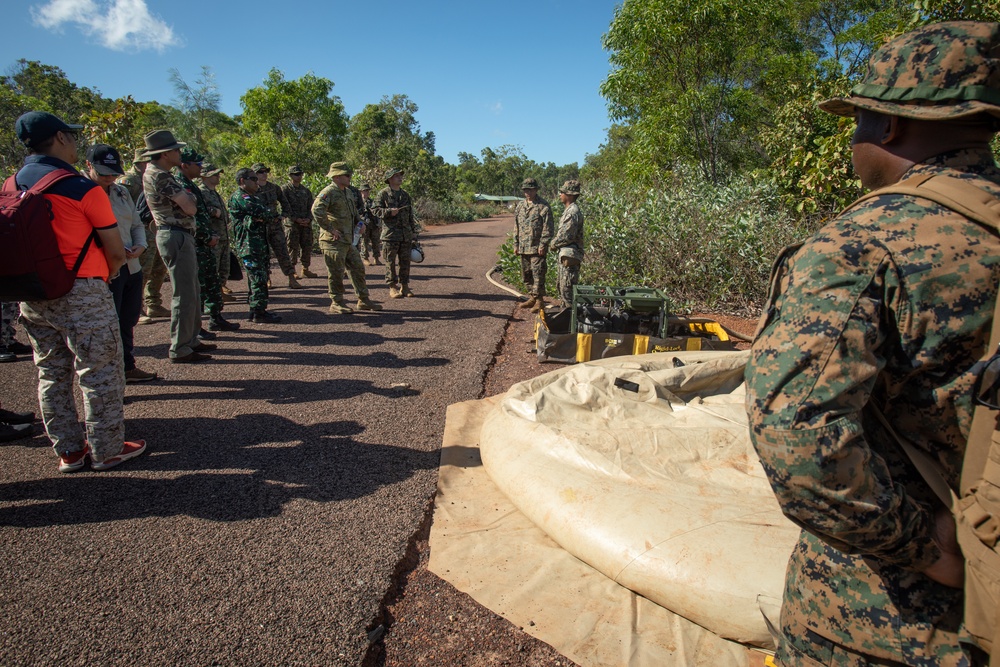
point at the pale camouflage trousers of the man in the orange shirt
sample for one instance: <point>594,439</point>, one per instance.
<point>77,334</point>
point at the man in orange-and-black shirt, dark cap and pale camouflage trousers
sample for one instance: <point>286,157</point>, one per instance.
<point>77,333</point>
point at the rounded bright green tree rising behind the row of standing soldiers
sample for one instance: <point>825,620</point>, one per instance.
<point>294,122</point>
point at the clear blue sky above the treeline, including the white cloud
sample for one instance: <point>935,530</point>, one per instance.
<point>518,72</point>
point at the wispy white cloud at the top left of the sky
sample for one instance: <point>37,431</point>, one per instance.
<point>116,24</point>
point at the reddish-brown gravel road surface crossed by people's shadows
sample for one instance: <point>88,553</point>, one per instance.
<point>283,484</point>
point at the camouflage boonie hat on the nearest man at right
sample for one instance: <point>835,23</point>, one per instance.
<point>938,72</point>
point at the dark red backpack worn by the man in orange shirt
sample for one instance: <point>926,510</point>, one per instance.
<point>31,264</point>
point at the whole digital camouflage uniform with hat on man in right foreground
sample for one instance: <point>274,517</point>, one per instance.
<point>887,307</point>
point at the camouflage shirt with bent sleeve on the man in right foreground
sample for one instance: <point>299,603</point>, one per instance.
<point>868,313</point>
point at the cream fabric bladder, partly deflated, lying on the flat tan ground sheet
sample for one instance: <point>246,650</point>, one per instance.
<point>653,482</point>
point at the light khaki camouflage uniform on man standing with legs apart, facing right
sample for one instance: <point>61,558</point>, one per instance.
<point>334,211</point>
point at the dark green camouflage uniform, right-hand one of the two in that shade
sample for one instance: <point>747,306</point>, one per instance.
<point>250,217</point>
